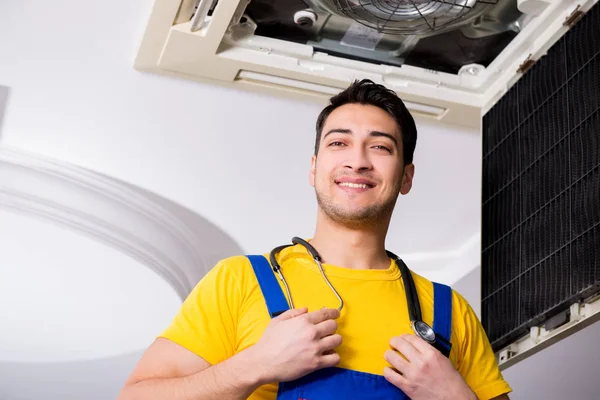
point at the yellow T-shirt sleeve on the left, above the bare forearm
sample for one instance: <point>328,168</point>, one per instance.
<point>206,322</point>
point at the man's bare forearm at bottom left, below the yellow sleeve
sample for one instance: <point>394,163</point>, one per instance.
<point>232,379</point>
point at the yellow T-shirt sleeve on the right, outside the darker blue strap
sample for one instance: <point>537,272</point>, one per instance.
<point>478,363</point>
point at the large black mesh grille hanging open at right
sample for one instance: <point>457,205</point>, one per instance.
<point>541,189</point>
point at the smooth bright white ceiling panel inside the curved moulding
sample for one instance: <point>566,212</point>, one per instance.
<point>72,296</point>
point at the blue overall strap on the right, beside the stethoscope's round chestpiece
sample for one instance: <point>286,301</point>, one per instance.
<point>442,316</point>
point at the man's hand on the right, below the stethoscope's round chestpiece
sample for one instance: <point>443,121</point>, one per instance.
<point>424,372</point>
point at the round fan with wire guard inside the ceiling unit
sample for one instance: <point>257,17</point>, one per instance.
<point>410,17</point>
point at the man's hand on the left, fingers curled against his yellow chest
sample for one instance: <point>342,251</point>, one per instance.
<point>296,343</point>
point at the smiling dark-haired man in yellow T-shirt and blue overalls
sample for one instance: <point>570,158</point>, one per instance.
<point>224,344</point>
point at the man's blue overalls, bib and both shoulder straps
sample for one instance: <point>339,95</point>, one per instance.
<point>334,382</point>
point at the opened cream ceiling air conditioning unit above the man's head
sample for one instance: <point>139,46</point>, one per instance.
<point>450,60</point>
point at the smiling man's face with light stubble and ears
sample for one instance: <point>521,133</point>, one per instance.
<point>359,170</point>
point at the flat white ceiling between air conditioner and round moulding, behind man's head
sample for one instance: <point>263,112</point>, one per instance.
<point>206,147</point>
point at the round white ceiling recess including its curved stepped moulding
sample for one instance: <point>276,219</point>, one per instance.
<point>93,267</point>
